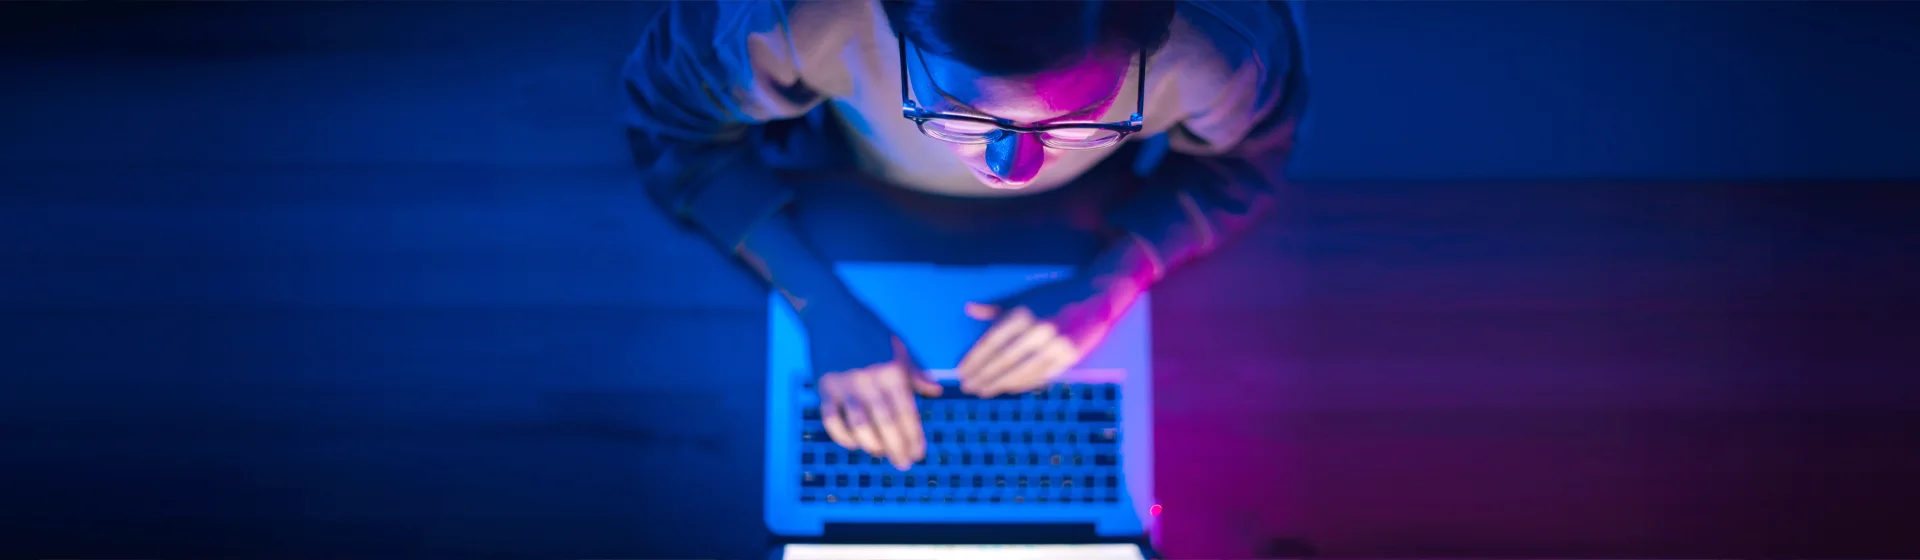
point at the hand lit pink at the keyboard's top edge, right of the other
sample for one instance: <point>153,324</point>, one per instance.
<point>1042,333</point>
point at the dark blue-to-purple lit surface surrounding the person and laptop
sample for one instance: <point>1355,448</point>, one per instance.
<point>352,281</point>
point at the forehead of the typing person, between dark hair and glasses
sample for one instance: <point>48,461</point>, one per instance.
<point>1088,83</point>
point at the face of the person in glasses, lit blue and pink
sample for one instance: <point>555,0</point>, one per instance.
<point>1078,93</point>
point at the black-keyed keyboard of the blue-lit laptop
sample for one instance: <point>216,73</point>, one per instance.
<point>1055,446</point>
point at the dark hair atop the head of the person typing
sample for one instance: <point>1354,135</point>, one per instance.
<point>1022,37</point>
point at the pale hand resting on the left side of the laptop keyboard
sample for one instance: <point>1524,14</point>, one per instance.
<point>873,409</point>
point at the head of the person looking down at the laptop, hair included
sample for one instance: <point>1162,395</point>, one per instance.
<point>1024,62</point>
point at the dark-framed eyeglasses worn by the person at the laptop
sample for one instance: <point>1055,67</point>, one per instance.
<point>971,129</point>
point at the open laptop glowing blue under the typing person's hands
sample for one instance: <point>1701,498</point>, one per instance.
<point>1059,473</point>
